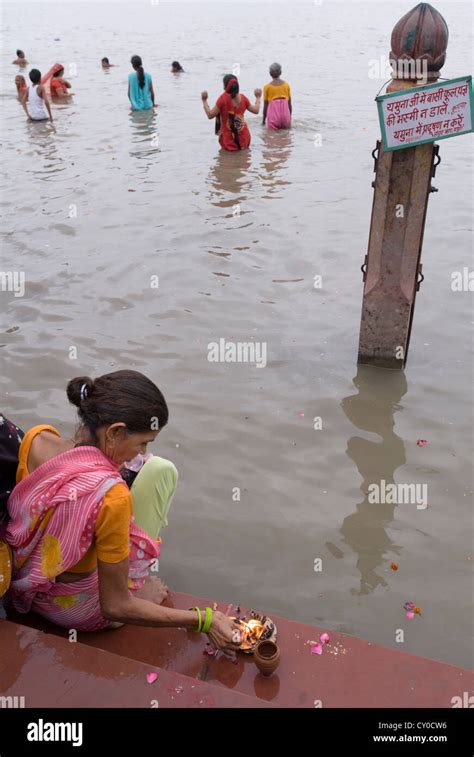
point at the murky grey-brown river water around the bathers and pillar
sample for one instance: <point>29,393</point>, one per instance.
<point>236,241</point>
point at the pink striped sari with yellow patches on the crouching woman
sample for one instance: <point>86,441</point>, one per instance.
<point>53,513</point>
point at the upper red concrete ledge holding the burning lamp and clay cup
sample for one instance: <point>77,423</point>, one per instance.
<point>349,673</point>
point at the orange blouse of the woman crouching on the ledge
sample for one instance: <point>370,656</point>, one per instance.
<point>112,527</point>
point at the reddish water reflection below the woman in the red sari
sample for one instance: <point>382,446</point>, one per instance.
<point>230,174</point>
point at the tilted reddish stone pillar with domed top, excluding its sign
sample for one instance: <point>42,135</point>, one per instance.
<point>392,269</point>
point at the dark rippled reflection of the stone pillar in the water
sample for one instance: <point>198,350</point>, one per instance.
<point>372,409</point>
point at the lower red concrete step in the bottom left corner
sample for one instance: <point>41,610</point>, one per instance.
<point>40,670</point>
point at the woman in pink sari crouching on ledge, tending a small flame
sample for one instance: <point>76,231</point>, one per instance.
<point>82,542</point>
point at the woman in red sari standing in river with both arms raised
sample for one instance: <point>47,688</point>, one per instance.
<point>230,107</point>
